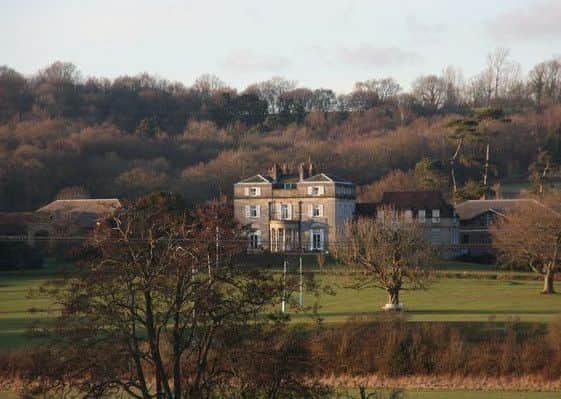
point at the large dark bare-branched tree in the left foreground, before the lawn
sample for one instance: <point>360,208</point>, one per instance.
<point>160,310</point>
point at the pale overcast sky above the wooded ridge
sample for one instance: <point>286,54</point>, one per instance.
<point>323,43</point>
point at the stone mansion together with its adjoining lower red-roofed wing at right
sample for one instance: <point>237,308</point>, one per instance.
<point>303,210</point>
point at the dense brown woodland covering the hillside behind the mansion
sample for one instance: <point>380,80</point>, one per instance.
<point>62,134</point>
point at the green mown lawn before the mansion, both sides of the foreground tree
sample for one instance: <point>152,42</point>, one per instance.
<point>448,299</point>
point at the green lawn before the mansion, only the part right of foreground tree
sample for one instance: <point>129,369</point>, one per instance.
<point>448,299</point>
